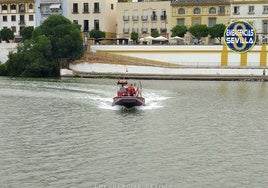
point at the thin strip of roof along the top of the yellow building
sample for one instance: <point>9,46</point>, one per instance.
<point>199,2</point>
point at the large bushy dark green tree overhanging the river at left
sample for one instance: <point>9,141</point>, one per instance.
<point>40,55</point>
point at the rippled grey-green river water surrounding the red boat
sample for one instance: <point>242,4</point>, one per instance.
<point>65,133</point>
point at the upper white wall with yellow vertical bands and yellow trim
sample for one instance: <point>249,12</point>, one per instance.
<point>191,55</point>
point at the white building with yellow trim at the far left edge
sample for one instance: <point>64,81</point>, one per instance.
<point>16,15</point>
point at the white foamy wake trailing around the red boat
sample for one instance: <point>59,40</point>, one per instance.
<point>100,96</point>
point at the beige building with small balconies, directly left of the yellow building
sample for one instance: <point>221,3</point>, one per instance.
<point>143,18</point>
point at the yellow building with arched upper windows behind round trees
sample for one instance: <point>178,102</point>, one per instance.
<point>192,12</point>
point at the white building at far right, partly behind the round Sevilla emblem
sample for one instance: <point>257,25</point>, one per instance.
<point>255,12</point>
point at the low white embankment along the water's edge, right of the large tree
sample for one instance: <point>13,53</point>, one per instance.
<point>99,70</point>
